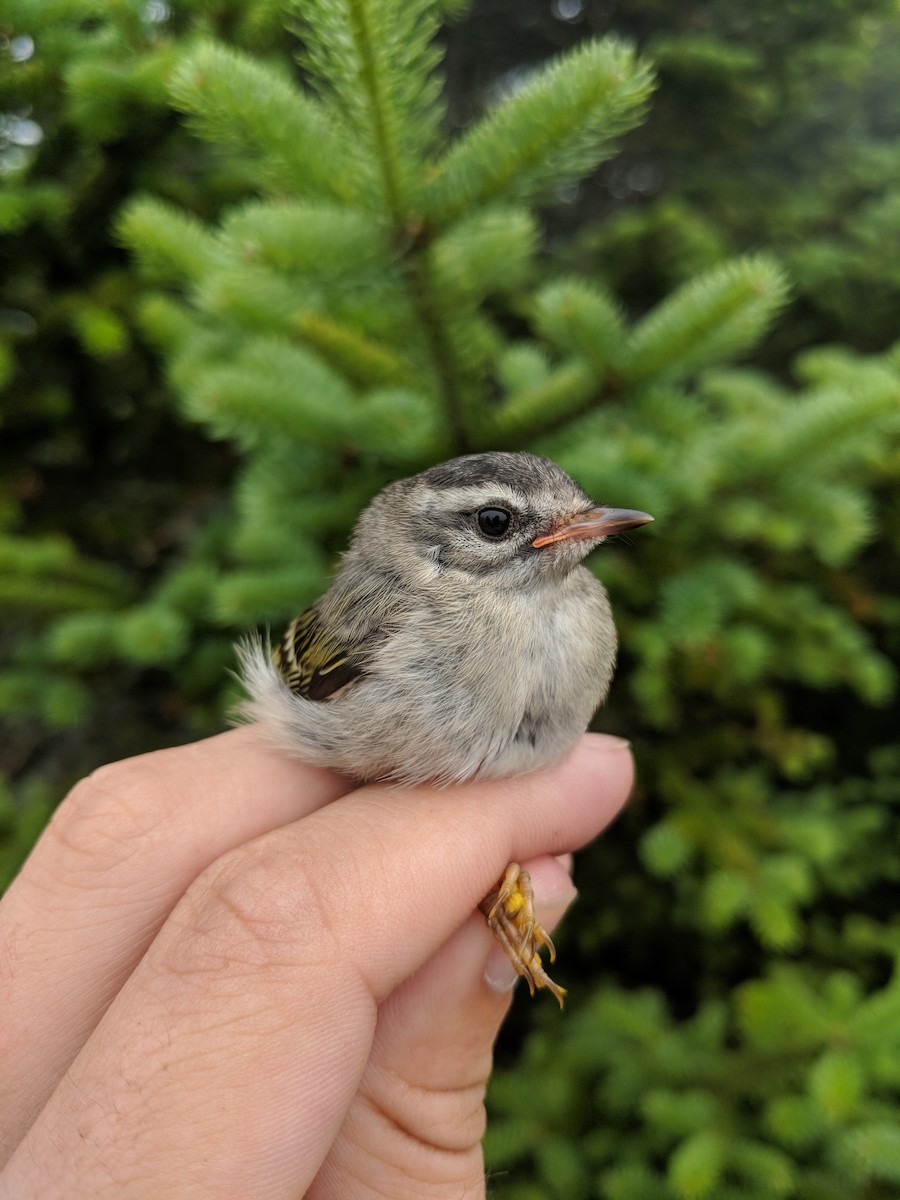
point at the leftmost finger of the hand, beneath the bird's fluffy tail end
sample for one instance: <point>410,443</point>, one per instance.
<point>119,853</point>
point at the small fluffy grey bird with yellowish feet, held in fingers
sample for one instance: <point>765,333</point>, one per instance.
<point>463,638</point>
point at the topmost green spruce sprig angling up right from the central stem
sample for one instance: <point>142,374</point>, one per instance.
<point>555,130</point>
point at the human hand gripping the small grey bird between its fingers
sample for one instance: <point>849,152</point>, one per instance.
<point>226,974</point>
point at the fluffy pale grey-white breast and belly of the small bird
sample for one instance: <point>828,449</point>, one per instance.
<point>477,686</point>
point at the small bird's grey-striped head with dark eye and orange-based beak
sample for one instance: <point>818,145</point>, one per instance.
<point>517,519</point>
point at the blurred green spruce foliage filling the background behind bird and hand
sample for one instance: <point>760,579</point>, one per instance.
<point>248,281</point>
